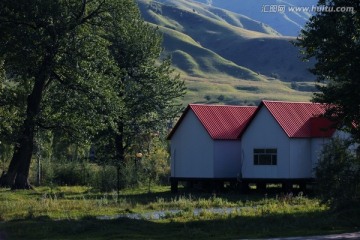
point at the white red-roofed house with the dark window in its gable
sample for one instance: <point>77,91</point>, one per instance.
<point>283,141</point>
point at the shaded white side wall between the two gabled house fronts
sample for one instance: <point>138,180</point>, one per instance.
<point>227,158</point>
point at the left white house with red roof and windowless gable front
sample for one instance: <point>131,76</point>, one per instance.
<point>205,143</point>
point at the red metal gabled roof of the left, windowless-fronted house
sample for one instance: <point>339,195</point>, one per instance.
<point>222,122</point>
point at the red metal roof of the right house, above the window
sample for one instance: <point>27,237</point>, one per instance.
<point>300,119</point>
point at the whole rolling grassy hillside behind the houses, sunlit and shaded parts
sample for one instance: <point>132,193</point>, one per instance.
<point>226,57</point>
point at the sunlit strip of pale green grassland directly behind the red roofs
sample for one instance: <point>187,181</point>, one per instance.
<point>227,90</point>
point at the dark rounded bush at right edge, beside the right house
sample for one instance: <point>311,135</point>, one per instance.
<point>338,175</point>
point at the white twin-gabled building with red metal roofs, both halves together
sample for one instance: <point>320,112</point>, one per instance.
<point>276,142</point>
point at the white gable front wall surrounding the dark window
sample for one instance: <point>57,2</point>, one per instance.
<point>265,132</point>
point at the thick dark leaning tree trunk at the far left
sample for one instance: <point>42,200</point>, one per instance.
<point>18,172</point>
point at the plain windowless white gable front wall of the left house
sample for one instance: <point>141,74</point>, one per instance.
<point>192,150</point>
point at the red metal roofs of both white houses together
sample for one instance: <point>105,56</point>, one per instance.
<point>297,119</point>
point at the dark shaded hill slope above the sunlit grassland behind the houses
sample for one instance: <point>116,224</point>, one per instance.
<point>277,57</point>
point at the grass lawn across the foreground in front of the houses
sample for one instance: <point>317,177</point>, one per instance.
<point>70,213</point>
